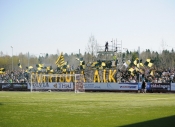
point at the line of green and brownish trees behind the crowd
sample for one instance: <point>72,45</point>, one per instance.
<point>163,60</point>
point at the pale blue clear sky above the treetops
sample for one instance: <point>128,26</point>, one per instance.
<point>48,26</point>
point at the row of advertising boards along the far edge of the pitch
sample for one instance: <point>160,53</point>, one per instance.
<point>69,86</point>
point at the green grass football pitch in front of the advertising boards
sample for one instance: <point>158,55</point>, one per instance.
<point>94,109</point>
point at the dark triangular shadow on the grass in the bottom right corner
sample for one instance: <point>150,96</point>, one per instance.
<point>161,122</point>
